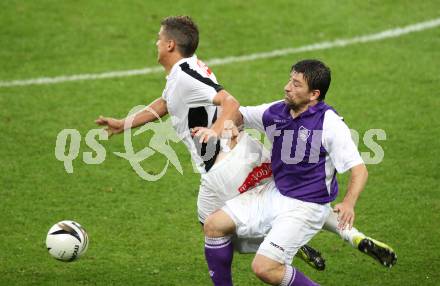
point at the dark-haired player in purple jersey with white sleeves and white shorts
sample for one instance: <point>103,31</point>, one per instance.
<point>310,143</point>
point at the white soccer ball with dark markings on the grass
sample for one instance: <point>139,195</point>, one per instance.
<point>67,240</point>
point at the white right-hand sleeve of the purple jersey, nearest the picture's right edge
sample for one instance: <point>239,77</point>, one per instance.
<point>336,139</point>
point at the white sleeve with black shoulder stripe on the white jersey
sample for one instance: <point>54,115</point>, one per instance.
<point>197,90</point>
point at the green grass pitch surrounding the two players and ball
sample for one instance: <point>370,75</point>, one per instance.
<point>146,233</point>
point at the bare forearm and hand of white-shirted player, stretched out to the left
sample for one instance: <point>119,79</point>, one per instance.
<point>157,108</point>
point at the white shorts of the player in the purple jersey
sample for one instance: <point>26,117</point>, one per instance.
<point>286,223</point>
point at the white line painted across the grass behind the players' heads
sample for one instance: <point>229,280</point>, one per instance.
<point>392,33</point>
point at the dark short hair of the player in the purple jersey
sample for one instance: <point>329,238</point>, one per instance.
<point>316,74</point>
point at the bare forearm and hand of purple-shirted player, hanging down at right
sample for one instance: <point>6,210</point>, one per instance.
<point>345,209</point>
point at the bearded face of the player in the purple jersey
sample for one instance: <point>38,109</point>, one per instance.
<point>297,92</point>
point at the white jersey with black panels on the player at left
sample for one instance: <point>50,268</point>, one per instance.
<point>189,93</point>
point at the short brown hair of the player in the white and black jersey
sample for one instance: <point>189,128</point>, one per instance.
<point>184,31</point>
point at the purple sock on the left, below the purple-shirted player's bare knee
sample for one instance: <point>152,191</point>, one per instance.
<point>218,254</point>
